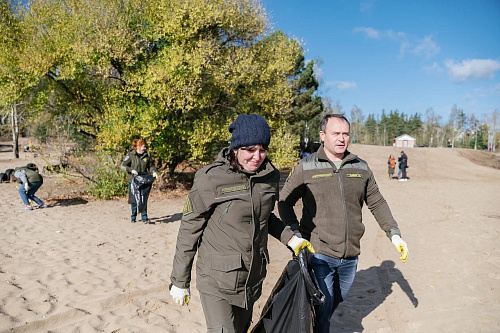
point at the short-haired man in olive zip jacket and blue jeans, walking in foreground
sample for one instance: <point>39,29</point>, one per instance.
<point>333,185</point>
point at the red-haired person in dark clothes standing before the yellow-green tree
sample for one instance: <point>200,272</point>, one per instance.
<point>136,162</point>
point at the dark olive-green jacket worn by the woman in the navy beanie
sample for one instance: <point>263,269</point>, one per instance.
<point>227,218</point>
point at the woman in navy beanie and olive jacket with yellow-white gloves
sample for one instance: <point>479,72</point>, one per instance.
<point>227,218</point>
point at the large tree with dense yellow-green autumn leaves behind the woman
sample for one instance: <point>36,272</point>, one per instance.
<point>175,73</point>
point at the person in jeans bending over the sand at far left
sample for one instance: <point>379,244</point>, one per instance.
<point>31,181</point>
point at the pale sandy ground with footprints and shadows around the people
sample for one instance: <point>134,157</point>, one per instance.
<point>81,266</point>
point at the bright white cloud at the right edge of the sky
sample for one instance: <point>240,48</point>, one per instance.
<point>472,69</point>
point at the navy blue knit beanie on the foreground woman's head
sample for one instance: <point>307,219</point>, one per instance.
<point>249,130</point>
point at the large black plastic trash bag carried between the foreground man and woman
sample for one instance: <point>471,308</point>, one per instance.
<point>290,307</point>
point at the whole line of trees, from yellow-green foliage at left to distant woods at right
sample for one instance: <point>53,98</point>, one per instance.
<point>176,73</point>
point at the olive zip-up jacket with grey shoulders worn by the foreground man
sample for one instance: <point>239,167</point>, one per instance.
<point>332,203</point>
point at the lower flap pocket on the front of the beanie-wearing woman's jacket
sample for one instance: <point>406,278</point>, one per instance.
<point>225,270</point>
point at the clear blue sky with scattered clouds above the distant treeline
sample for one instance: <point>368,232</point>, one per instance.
<point>408,55</point>
